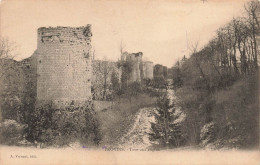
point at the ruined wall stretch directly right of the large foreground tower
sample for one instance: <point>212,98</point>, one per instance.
<point>102,71</point>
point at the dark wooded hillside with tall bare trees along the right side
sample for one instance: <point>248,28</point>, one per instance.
<point>213,86</point>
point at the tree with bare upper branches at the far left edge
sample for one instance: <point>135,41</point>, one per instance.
<point>11,80</point>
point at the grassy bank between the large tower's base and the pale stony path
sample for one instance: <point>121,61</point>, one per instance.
<point>118,119</point>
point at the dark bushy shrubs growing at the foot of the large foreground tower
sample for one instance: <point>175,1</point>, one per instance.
<point>63,126</point>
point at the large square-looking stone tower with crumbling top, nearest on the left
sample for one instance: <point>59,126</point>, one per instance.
<point>64,64</point>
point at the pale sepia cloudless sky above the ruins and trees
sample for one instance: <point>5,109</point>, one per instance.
<point>161,29</point>
